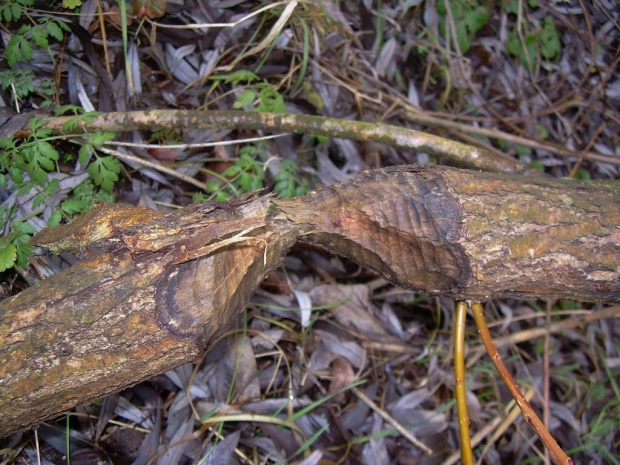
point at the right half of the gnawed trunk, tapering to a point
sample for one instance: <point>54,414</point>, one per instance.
<point>470,235</point>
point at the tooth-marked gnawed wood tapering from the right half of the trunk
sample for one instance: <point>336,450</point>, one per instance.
<point>403,223</point>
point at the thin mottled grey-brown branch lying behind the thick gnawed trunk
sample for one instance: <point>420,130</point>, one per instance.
<point>447,151</point>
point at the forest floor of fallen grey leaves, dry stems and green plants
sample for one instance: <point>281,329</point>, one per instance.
<point>331,346</point>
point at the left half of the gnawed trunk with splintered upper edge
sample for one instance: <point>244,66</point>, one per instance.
<point>131,309</point>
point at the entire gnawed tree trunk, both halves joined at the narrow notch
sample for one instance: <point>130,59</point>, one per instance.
<point>155,290</point>
